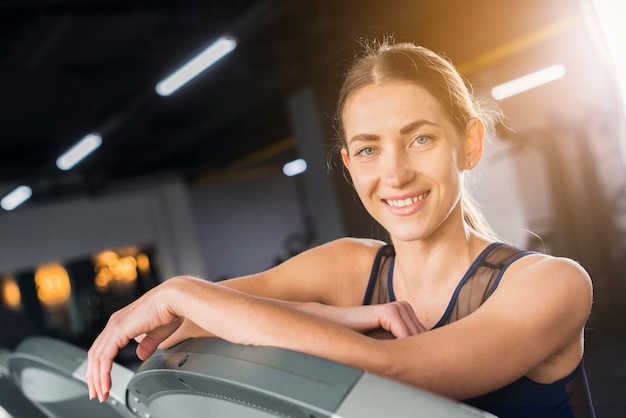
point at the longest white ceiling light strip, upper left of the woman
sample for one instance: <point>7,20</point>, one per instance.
<point>195,66</point>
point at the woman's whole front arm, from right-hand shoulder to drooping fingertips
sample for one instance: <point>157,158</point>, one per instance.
<point>531,326</point>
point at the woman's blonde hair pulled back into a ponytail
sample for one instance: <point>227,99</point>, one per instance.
<point>407,62</point>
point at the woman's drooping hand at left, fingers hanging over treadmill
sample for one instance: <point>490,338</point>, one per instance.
<point>149,318</point>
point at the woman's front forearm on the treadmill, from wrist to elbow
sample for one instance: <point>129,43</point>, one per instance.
<point>245,319</point>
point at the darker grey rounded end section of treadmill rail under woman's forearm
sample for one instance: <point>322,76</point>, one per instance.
<point>254,380</point>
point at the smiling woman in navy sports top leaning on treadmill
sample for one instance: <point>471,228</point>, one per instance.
<point>469,318</point>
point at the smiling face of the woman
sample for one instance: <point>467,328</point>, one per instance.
<point>405,157</point>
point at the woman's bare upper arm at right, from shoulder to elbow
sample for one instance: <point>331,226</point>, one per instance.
<point>531,326</point>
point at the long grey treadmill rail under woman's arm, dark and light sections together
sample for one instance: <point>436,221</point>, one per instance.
<point>213,378</point>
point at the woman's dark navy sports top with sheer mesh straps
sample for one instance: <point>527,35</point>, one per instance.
<point>524,398</point>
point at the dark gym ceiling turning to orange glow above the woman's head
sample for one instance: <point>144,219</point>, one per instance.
<point>71,67</point>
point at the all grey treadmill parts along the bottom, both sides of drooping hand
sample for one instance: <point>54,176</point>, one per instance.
<point>210,377</point>
